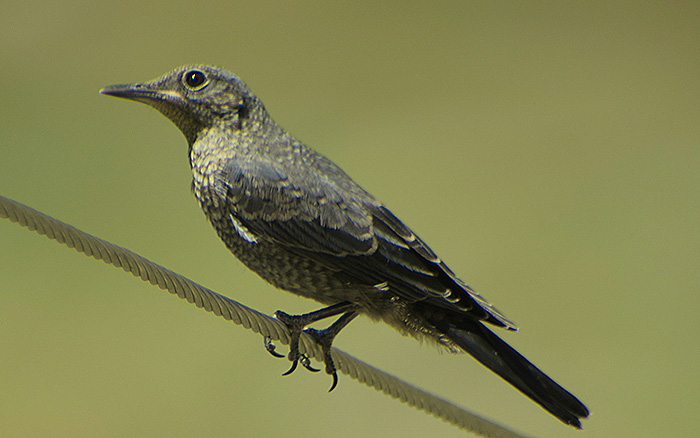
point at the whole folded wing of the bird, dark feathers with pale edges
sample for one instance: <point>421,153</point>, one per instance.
<point>346,229</point>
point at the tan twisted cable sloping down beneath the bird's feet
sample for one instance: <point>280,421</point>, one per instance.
<point>239,314</point>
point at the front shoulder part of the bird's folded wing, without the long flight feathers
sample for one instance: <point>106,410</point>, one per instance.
<point>306,212</point>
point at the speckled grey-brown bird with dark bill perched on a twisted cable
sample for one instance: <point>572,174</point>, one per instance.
<point>302,224</point>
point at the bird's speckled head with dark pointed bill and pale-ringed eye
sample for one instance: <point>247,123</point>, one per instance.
<point>194,97</point>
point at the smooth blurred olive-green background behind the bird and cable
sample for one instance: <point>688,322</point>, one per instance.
<point>548,151</point>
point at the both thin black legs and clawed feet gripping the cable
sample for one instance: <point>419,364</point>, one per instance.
<point>296,324</point>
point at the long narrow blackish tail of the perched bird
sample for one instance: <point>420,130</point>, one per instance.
<point>477,340</point>
